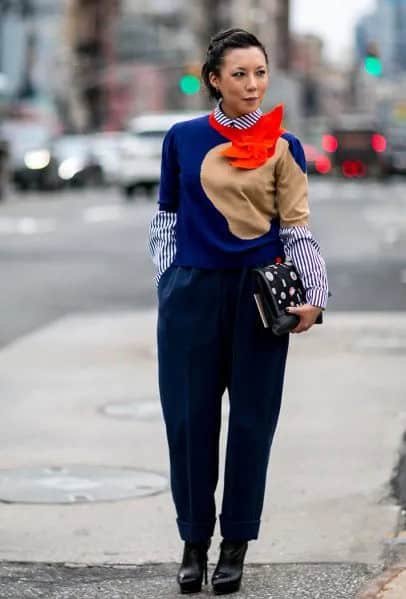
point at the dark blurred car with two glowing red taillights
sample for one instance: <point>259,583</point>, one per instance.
<point>356,147</point>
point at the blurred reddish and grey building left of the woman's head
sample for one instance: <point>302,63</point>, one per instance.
<point>124,57</point>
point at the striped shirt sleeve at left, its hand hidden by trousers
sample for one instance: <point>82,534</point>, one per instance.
<point>162,241</point>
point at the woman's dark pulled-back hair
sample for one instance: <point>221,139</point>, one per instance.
<point>218,46</point>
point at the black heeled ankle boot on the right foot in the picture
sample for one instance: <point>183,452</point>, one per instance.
<point>228,573</point>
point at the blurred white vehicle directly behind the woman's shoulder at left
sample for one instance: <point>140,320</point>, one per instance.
<point>140,152</point>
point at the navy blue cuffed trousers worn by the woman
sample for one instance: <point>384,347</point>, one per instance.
<point>210,338</point>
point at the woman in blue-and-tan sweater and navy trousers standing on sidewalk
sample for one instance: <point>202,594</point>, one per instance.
<point>233,195</point>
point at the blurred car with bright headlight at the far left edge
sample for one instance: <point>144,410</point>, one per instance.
<point>31,162</point>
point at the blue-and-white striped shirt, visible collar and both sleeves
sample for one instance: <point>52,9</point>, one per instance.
<point>298,241</point>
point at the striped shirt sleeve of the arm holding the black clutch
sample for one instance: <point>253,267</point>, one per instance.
<point>304,252</point>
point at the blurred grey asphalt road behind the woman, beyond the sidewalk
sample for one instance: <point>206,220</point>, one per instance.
<point>86,251</point>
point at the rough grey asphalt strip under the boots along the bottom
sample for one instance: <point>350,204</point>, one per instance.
<point>293,581</point>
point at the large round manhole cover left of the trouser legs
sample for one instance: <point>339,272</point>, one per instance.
<point>77,484</point>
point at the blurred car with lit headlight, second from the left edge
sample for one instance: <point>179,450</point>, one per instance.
<point>77,164</point>
